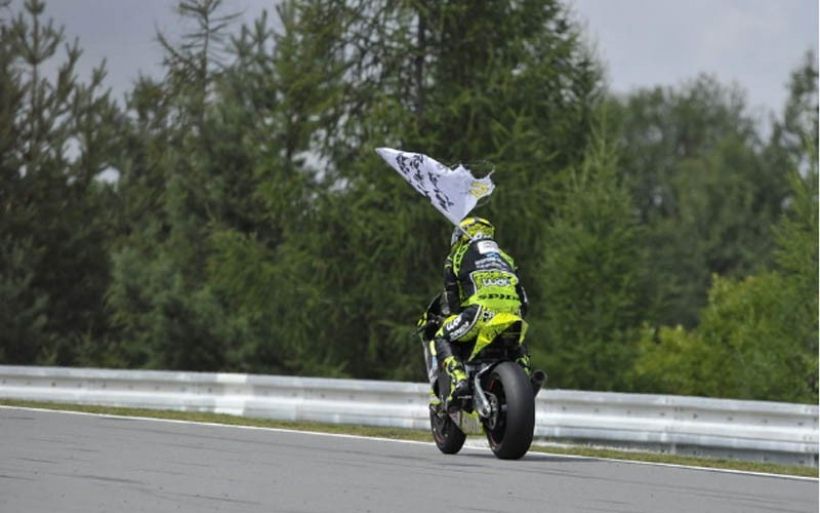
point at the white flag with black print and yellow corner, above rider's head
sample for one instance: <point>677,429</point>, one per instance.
<point>454,192</point>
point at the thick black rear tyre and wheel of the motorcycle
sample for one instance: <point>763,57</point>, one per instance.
<point>510,427</point>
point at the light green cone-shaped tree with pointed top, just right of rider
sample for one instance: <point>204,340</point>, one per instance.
<point>591,277</point>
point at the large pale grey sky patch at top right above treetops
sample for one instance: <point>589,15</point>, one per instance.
<point>754,43</point>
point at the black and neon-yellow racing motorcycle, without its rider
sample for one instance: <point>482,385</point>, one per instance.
<point>501,398</point>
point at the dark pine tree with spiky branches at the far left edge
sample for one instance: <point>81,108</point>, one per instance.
<point>58,137</point>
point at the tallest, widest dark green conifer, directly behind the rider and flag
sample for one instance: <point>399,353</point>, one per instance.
<point>502,82</point>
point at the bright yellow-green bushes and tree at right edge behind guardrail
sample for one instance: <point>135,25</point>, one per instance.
<point>757,337</point>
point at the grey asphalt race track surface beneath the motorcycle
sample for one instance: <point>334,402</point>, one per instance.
<point>62,462</point>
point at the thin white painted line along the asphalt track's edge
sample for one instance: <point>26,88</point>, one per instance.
<point>471,444</point>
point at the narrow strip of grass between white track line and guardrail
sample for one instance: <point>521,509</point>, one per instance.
<point>422,436</point>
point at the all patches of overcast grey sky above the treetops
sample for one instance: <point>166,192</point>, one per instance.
<point>643,43</point>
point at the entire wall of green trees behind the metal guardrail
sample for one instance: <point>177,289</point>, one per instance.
<point>251,226</point>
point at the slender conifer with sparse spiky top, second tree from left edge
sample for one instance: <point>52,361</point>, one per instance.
<point>167,315</point>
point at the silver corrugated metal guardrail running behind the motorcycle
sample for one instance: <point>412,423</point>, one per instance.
<point>760,430</point>
